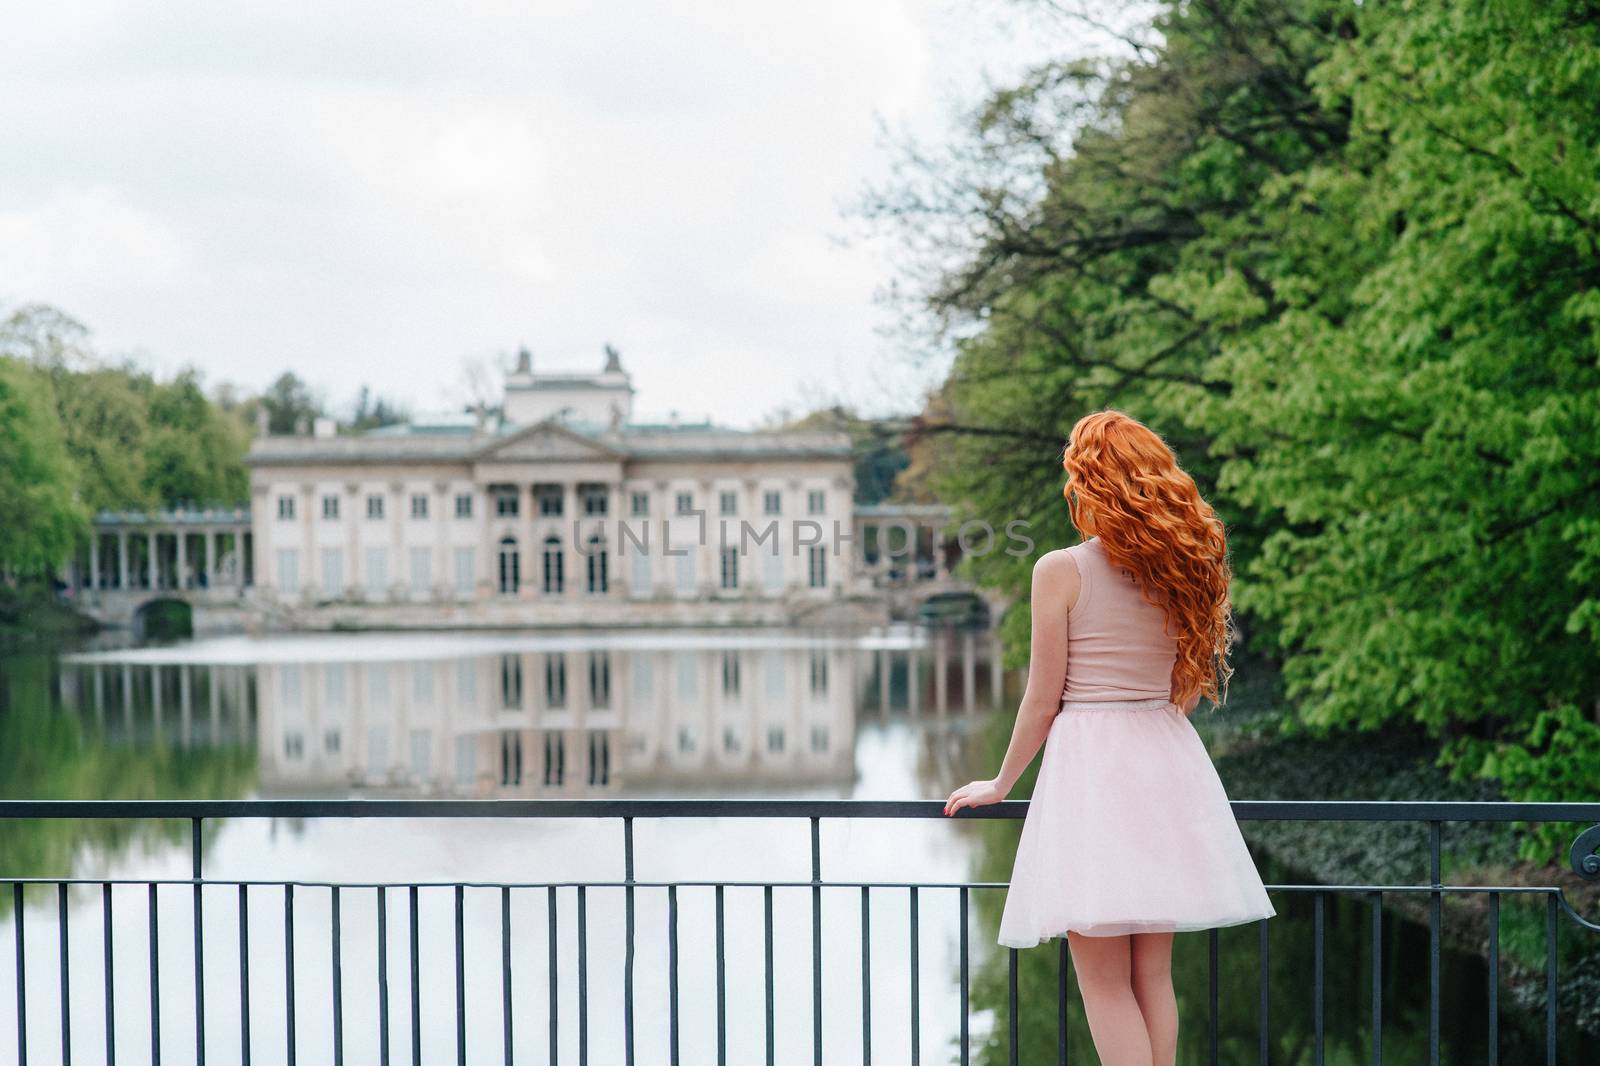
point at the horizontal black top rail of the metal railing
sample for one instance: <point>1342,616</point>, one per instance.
<point>1246,811</point>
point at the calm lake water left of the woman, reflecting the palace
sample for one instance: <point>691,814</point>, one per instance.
<point>882,715</point>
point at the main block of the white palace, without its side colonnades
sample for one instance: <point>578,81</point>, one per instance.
<point>559,511</point>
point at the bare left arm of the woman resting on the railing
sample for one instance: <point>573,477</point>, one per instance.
<point>1055,590</point>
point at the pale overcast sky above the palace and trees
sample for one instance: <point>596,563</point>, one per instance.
<point>378,193</point>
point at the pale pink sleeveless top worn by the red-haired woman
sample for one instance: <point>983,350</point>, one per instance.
<point>1118,647</point>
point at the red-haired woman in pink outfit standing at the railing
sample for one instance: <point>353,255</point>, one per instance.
<point>1129,836</point>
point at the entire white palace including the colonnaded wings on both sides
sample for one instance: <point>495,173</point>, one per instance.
<point>559,511</point>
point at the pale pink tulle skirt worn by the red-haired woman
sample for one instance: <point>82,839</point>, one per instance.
<point>1129,832</point>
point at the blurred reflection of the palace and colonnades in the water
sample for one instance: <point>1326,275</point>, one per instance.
<point>545,721</point>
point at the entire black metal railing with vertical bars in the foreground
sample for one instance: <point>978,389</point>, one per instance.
<point>1583,859</point>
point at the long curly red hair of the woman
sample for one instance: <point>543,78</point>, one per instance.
<point>1151,521</point>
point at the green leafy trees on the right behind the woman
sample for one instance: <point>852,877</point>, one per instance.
<point>1345,260</point>
